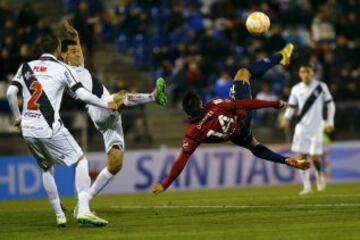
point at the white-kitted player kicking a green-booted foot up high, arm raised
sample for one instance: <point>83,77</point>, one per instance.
<point>107,122</point>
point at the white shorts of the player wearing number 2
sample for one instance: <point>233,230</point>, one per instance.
<point>61,149</point>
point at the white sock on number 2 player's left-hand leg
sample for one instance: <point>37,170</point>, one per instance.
<point>52,192</point>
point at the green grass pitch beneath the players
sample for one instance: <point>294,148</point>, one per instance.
<point>242,213</point>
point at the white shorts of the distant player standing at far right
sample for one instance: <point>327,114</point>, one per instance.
<point>307,143</point>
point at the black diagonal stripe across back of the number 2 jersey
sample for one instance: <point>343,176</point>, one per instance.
<point>45,106</point>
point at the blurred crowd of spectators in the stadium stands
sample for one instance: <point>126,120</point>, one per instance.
<point>196,44</point>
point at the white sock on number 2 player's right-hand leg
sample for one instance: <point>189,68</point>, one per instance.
<point>82,184</point>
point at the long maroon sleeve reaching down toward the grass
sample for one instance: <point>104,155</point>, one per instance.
<point>189,146</point>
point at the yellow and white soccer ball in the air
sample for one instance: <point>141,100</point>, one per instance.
<point>257,22</point>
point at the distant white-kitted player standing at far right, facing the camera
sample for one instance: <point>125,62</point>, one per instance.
<point>308,98</point>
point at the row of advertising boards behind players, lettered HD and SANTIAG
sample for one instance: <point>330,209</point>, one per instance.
<point>209,167</point>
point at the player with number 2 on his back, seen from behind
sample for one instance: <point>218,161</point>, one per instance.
<point>42,83</point>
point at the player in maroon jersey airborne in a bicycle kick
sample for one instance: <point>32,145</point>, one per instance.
<point>222,120</point>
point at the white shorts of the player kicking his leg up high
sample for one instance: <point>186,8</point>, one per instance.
<point>109,125</point>
